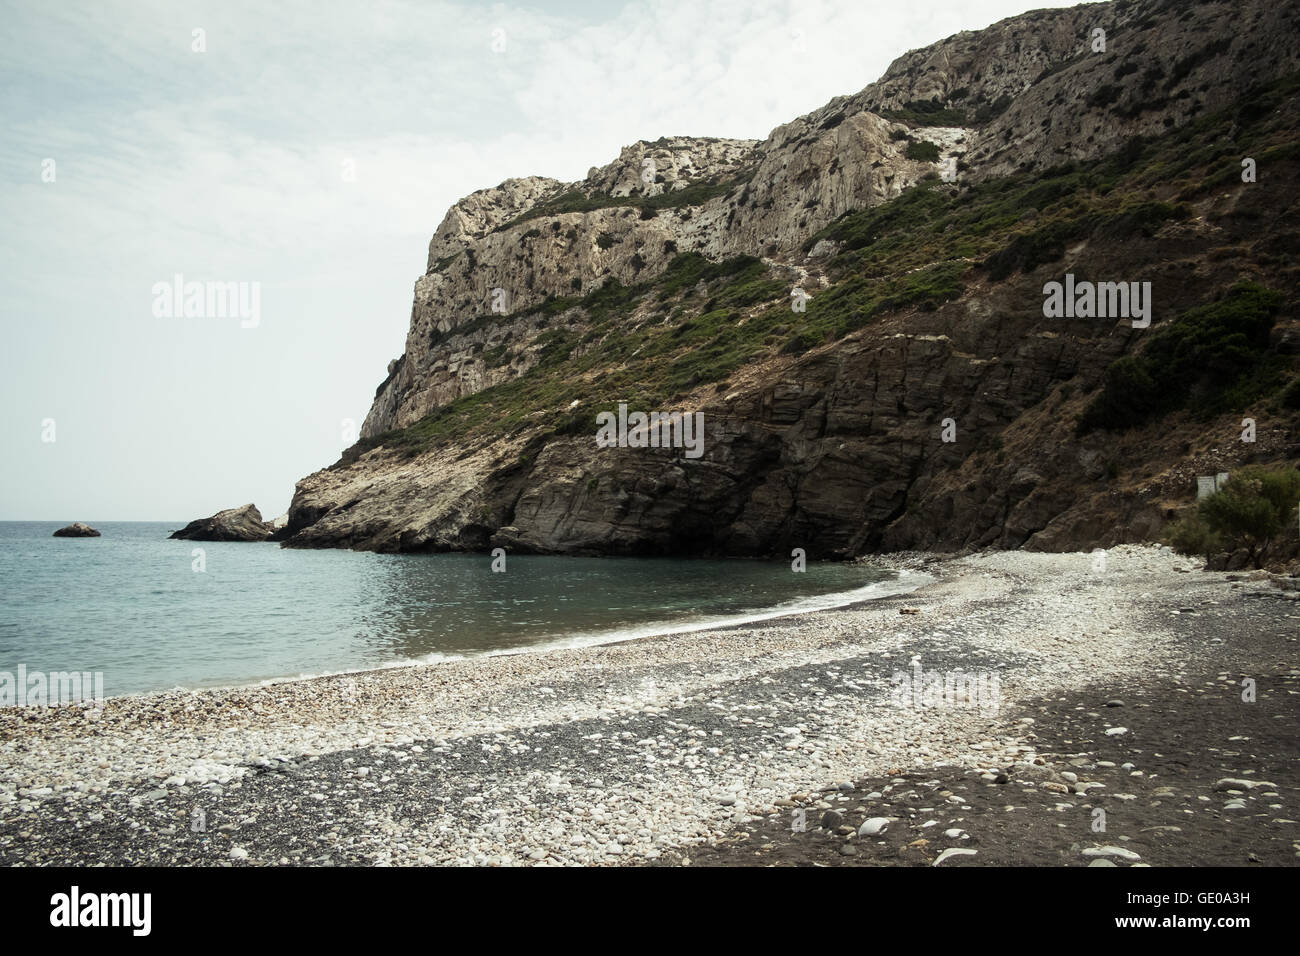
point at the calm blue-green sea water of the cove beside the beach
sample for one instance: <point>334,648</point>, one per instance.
<point>131,604</point>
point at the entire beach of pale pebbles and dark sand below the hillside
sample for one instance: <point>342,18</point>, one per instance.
<point>781,742</point>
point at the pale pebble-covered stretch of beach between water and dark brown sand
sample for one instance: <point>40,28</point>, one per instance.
<point>599,755</point>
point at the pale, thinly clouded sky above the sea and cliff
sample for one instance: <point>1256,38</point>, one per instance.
<point>306,153</point>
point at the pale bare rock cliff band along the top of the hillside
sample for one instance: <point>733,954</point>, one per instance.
<point>1029,93</point>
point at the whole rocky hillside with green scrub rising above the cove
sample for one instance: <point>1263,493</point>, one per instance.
<point>921,399</point>
